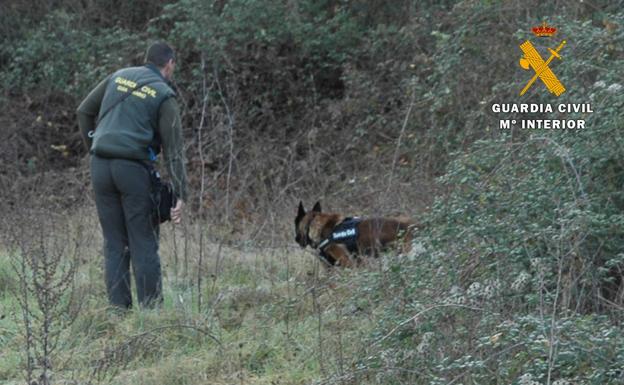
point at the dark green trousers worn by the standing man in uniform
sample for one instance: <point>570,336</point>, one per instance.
<point>124,205</point>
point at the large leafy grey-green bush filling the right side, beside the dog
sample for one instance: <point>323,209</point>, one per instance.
<point>517,275</point>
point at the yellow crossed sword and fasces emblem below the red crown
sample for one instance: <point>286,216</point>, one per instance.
<point>532,59</point>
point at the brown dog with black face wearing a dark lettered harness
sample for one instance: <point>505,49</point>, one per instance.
<point>340,240</point>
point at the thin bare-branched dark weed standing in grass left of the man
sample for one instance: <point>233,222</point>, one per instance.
<point>45,248</point>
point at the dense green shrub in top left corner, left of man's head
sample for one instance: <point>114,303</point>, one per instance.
<point>57,56</point>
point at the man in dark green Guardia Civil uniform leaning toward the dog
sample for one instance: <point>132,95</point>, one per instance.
<point>124,121</point>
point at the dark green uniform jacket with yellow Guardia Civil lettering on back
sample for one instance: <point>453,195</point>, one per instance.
<point>148,118</point>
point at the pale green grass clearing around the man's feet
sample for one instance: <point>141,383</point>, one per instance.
<point>268,316</point>
